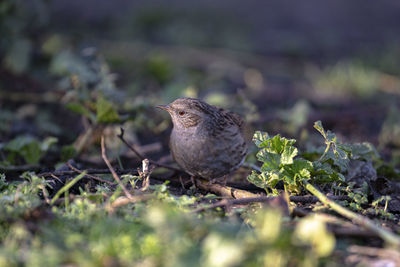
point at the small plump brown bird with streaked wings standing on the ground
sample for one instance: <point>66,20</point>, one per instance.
<point>206,141</point>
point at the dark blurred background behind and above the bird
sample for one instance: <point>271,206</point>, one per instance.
<point>73,70</point>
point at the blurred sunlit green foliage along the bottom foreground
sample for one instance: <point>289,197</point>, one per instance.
<point>162,231</point>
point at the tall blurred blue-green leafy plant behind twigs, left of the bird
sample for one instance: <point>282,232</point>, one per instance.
<point>93,92</point>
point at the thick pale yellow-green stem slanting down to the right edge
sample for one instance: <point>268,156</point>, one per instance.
<point>386,235</point>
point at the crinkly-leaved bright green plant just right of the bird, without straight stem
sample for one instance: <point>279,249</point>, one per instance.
<point>279,163</point>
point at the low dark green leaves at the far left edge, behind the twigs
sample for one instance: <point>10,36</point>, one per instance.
<point>27,147</point>
